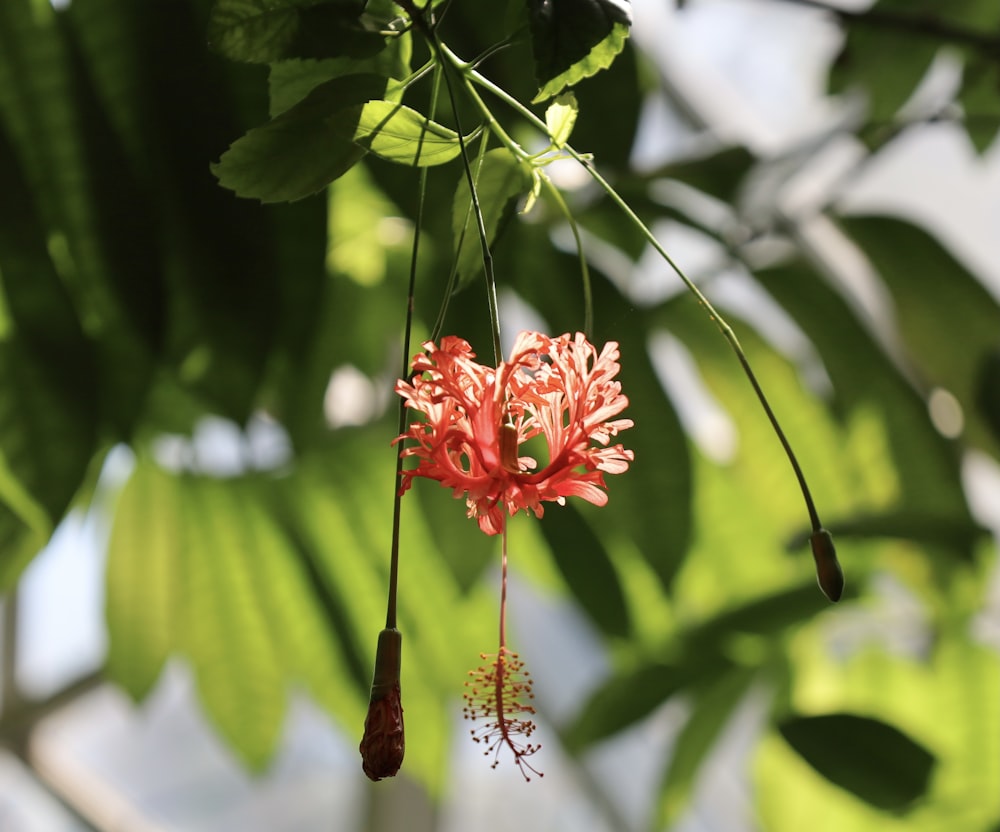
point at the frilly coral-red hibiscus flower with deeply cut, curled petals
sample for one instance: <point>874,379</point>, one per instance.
<point>476,417</point>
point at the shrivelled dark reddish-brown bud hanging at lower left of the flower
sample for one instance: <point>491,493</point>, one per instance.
<point>383,744</point>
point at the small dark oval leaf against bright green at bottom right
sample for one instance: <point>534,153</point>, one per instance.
<point>869,758</point>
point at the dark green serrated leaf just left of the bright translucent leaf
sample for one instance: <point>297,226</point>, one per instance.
<point>305,148</point>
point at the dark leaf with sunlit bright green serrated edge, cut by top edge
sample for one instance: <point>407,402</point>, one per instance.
<point>574,39</point>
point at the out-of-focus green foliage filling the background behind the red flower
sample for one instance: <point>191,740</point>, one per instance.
<point>140,298</point>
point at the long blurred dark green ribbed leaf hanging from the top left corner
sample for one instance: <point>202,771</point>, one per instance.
<point>61,138</point>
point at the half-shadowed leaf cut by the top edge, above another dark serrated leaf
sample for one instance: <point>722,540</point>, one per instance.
<point>262,31</point>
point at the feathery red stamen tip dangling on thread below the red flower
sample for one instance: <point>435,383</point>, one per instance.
<point>500,692</point>
